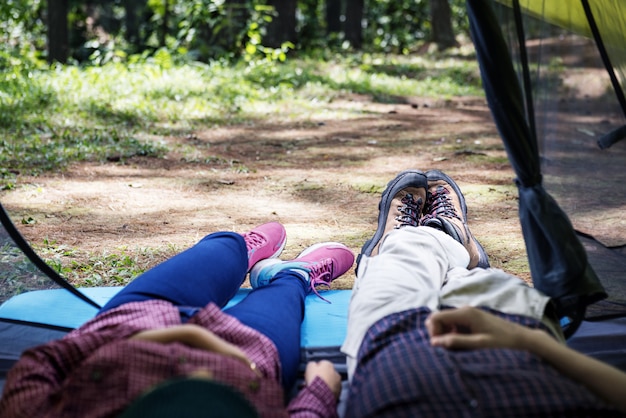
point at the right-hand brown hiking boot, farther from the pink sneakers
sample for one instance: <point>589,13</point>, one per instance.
<point>446,210</point>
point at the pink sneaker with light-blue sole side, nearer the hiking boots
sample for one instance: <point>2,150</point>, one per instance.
<point>319,264</point>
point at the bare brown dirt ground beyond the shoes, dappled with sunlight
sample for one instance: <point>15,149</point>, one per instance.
<point>320,176</point>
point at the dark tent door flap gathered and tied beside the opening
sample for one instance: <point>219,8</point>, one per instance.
<point>557,259</point>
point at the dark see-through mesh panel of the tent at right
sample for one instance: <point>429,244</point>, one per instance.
<point>575,105</point>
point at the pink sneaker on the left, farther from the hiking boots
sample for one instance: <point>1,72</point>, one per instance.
<point>265,241</point>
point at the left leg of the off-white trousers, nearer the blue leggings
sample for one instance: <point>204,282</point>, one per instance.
<point>408,272</point>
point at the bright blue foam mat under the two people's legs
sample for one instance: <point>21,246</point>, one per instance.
<point>324,323</point>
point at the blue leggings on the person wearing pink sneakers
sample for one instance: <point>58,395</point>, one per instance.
<point>212,271</point>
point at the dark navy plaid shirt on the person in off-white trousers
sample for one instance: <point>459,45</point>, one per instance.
<point>399,374</point>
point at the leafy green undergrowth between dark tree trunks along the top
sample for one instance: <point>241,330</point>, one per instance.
<point>205,30</point>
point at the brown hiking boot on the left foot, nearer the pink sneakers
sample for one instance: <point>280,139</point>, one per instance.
<point>401,204</point>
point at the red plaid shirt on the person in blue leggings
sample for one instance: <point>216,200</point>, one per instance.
<point>96,371</point>
